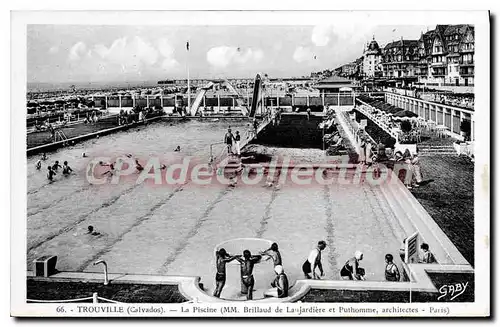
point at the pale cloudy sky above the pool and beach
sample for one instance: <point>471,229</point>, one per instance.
<point>127,53</point>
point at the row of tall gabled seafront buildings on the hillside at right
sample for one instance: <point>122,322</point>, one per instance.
<point>443,56</point>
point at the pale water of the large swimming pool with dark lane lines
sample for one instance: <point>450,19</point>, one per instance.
<point>174,230</point>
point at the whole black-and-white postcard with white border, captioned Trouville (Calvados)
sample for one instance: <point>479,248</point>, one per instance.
<point>250,164</point>
